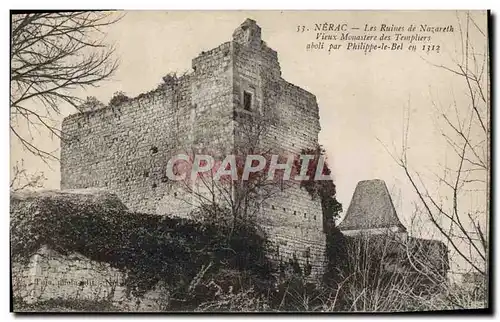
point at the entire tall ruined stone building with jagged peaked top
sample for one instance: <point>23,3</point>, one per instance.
<point>125,148</point>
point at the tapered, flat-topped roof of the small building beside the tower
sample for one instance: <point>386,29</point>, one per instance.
<point>371,207</point>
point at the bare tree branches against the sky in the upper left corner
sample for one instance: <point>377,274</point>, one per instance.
<point>52,54</point>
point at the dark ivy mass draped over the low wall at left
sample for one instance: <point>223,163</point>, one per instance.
<point>149,248</point>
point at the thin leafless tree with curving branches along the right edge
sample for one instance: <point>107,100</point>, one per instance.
<point>465,129</point>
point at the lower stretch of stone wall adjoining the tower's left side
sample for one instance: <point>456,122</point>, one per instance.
<point>125,148</point>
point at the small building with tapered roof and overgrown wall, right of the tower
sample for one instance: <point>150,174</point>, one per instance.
<point>372,219</point>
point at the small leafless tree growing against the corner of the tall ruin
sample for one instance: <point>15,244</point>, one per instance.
<point>227,199</point>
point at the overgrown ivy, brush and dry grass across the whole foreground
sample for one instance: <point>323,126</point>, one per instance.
<point>209,265</point>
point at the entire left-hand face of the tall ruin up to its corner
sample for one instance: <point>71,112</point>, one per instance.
<point>126,148</point>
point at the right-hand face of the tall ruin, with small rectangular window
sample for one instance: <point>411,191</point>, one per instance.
<point>292,219</point>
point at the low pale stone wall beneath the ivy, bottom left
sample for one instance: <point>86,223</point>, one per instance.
<point>50,275</point>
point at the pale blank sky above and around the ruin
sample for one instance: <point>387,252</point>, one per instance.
<point>361,97</point>
